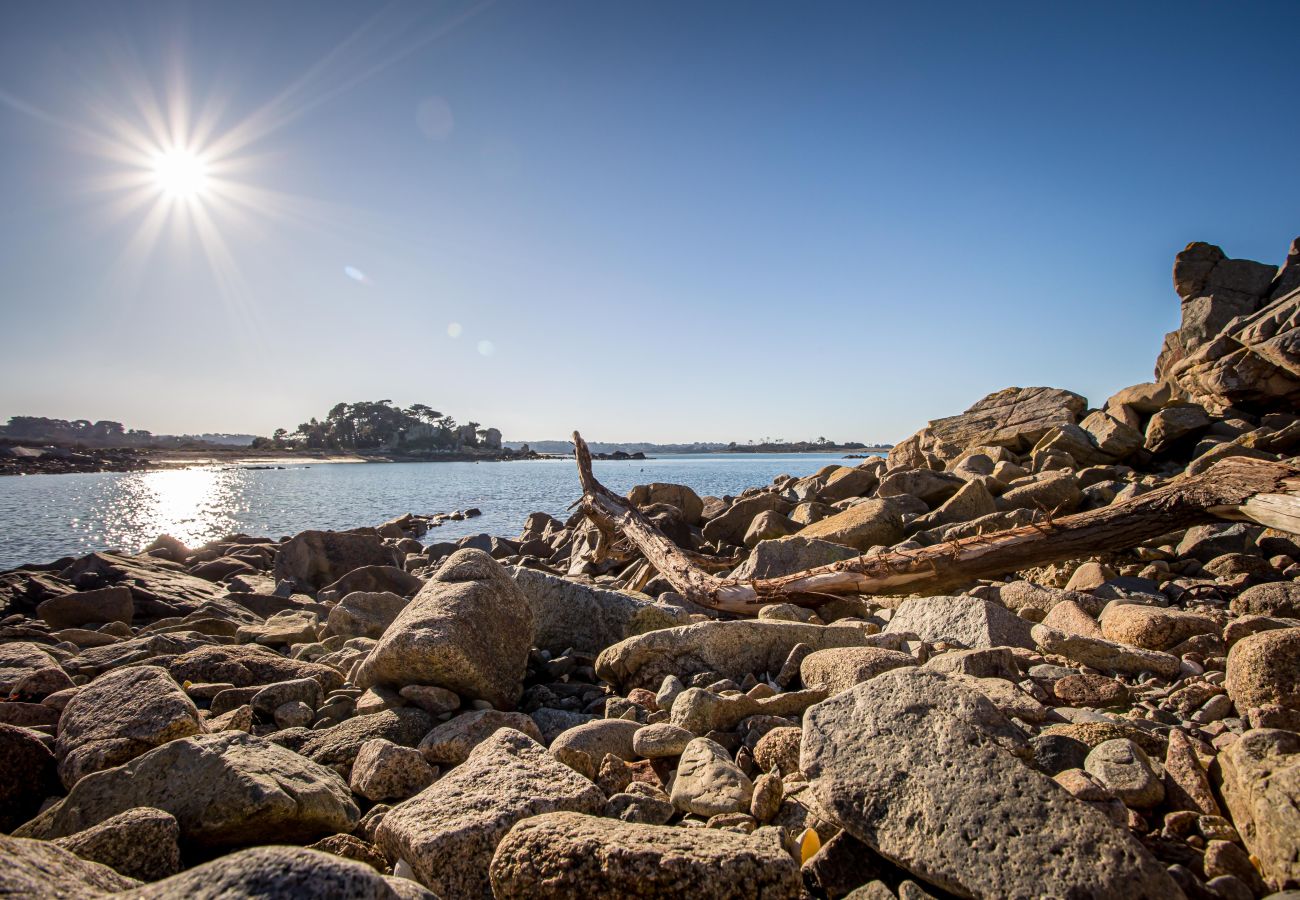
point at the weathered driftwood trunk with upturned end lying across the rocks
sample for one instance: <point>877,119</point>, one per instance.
<point>1242,490</point>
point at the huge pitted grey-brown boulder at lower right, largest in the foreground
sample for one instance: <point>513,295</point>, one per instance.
<point>926,772</point>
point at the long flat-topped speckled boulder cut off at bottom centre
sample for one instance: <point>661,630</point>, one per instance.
<point>567,855</point>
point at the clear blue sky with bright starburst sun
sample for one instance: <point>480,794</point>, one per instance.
<point>657,222</point>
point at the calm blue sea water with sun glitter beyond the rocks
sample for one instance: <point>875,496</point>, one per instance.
<point>47,517</point>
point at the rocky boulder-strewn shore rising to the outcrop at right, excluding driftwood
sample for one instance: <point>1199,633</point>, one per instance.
<point>367,715</point>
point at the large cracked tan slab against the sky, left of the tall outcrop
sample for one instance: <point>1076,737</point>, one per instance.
<point>1015,418</point>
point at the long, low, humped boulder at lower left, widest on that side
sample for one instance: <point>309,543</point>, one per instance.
<point>226,790</point>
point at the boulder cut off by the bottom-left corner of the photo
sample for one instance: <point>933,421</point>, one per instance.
<point>40,869</point>
